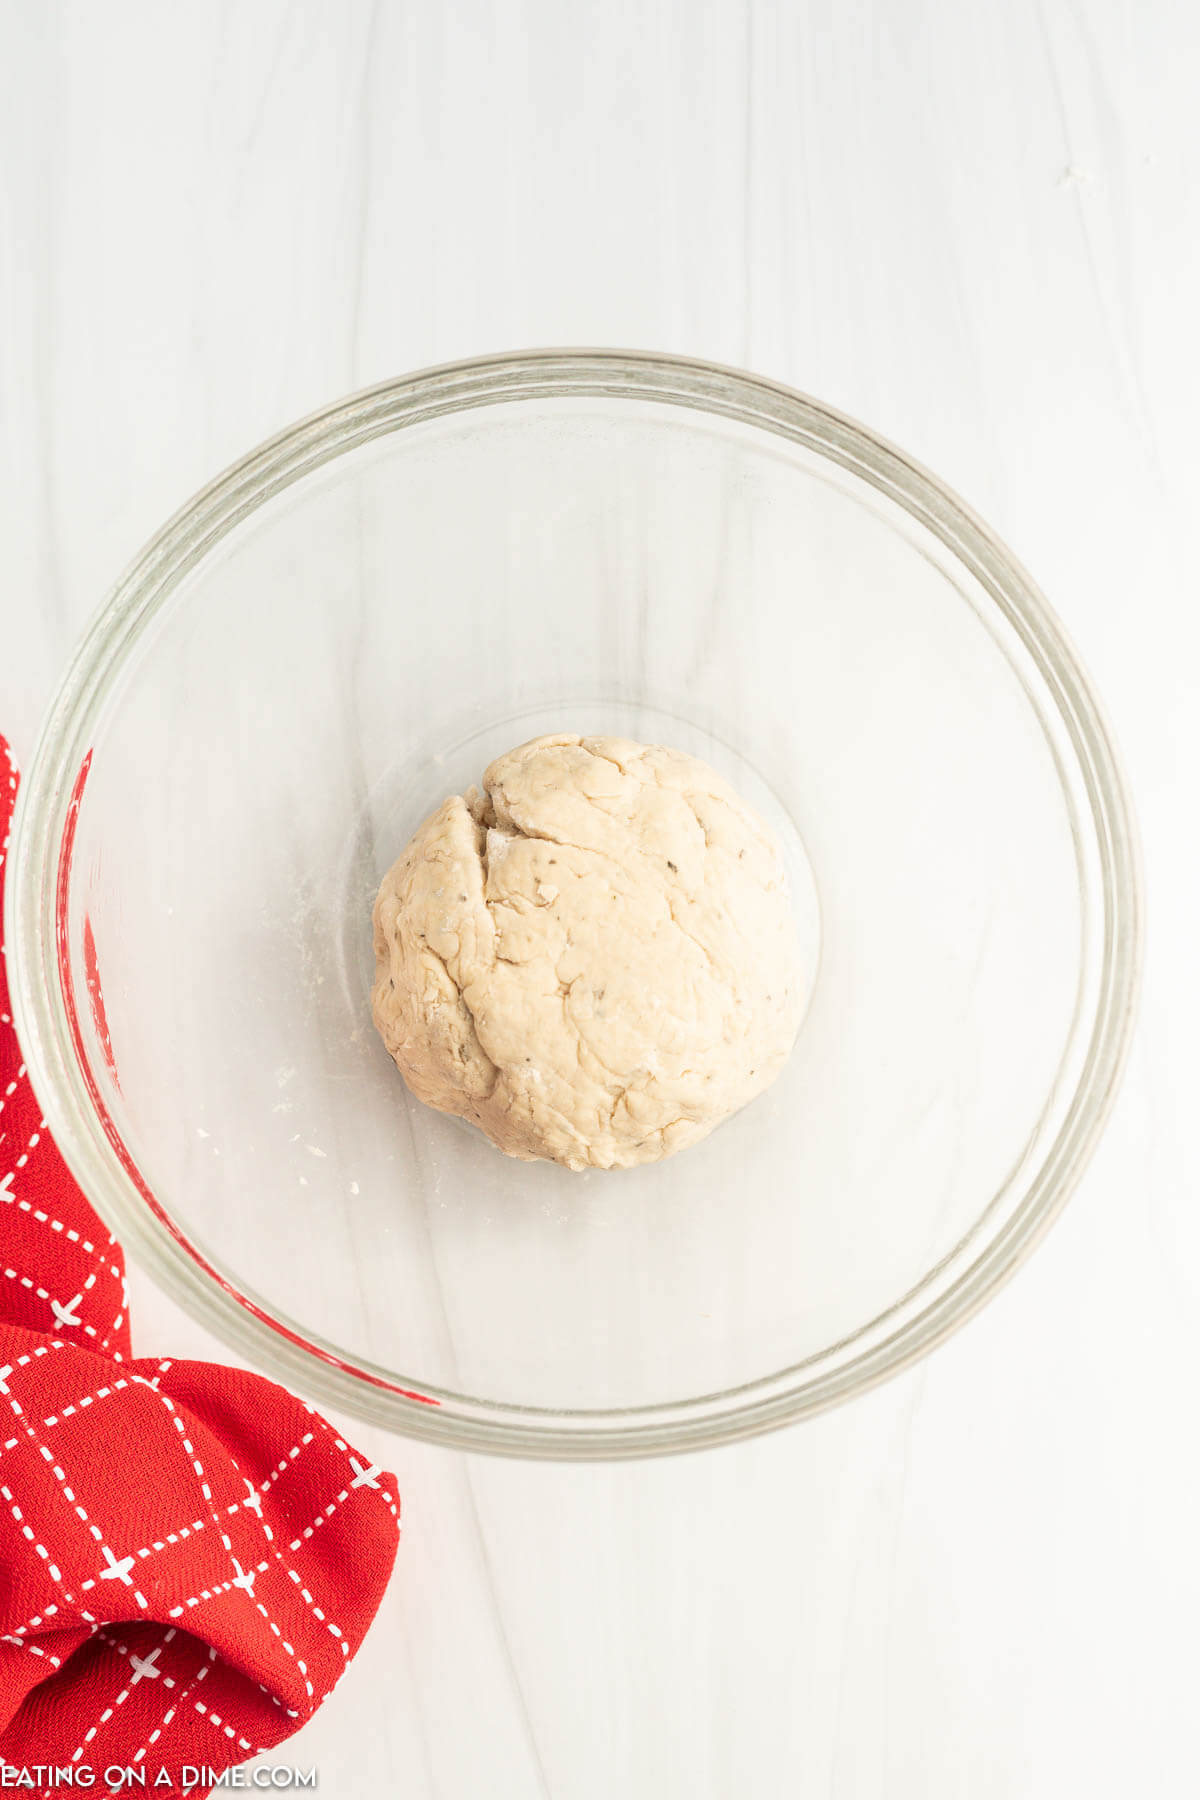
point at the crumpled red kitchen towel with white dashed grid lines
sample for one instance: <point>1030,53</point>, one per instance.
<point>188,1554</point>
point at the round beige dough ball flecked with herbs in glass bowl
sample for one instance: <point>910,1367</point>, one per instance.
<point>595,960</point>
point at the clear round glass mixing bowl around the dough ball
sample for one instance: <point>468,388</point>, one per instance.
<point>343,631</point>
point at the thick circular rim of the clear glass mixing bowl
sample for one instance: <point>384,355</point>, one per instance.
<point>319,1371</point>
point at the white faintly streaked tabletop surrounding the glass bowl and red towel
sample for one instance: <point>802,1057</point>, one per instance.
<point>974,228</point>
